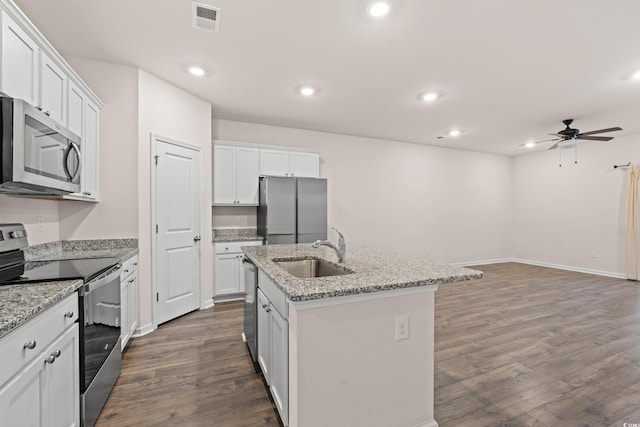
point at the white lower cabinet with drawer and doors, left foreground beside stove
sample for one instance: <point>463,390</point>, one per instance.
<point>45,391</point>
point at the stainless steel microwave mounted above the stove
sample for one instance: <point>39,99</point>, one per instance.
<point>37,156</point>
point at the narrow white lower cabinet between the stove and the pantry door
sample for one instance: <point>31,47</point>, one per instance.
<point>128,299</point>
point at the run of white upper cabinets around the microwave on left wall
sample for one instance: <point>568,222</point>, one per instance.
<point>31,69</point>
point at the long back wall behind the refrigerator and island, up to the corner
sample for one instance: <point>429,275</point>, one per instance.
<point>451,205</point>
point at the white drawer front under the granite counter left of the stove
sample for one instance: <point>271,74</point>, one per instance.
<point>41,331</point>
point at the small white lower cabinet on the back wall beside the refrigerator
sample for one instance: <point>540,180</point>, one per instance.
<point>228,277</point>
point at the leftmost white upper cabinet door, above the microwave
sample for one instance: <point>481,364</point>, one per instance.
<point>20,69</point>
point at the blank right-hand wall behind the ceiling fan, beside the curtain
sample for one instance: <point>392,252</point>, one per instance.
<point>563,214</point>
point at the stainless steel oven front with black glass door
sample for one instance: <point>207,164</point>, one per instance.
<point>100,354</point>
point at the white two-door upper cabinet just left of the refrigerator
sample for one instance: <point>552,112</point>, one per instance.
<point>235,175</point>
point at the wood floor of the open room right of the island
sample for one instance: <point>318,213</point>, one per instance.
<point>533,346</point>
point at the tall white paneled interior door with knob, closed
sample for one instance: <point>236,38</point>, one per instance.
<point>178,206</point>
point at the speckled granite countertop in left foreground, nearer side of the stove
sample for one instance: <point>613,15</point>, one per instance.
<point>19,303</point>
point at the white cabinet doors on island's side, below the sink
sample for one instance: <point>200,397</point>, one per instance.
<point>273,344</point>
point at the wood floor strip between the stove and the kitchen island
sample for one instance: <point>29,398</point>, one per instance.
<point>192,371</point>
